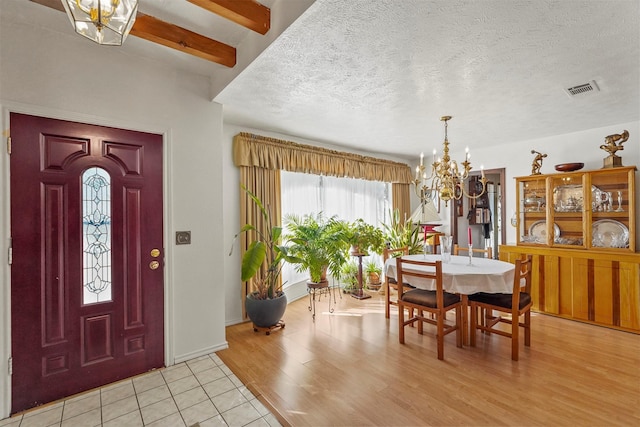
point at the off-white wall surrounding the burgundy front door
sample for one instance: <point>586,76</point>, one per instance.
<point>61,75</point>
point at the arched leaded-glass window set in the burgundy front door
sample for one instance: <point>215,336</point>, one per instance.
<point>96,232</point>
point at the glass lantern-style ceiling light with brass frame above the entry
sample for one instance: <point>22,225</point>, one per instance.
<point>105,22</point>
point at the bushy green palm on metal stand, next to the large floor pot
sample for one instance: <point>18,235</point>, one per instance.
<point>316,244</point>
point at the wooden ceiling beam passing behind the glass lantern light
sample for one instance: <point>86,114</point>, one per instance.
<point>152,29</point>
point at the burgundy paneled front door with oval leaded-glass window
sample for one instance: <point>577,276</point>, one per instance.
<point>87,270</point>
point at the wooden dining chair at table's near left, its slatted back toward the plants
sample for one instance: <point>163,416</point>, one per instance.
<point>437,302</point>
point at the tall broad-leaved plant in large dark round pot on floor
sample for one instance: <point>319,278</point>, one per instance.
<point>262,265</point>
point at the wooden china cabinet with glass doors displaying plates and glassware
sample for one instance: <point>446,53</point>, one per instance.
<point>580,228</point>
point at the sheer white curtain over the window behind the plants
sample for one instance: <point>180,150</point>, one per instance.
<point>347,198</point>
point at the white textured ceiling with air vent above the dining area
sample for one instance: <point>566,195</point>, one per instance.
<point>377,75</point>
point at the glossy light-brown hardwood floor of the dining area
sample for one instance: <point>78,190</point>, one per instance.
<point>348,369</point>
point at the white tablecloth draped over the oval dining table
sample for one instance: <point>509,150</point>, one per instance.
<point>484,275</point>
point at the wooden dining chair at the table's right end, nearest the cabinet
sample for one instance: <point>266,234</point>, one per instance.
<point>516,304</point>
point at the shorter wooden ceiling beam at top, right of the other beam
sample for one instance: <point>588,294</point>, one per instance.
<point>248,13</point>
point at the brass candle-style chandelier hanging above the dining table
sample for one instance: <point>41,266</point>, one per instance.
<point>446,179</point>
